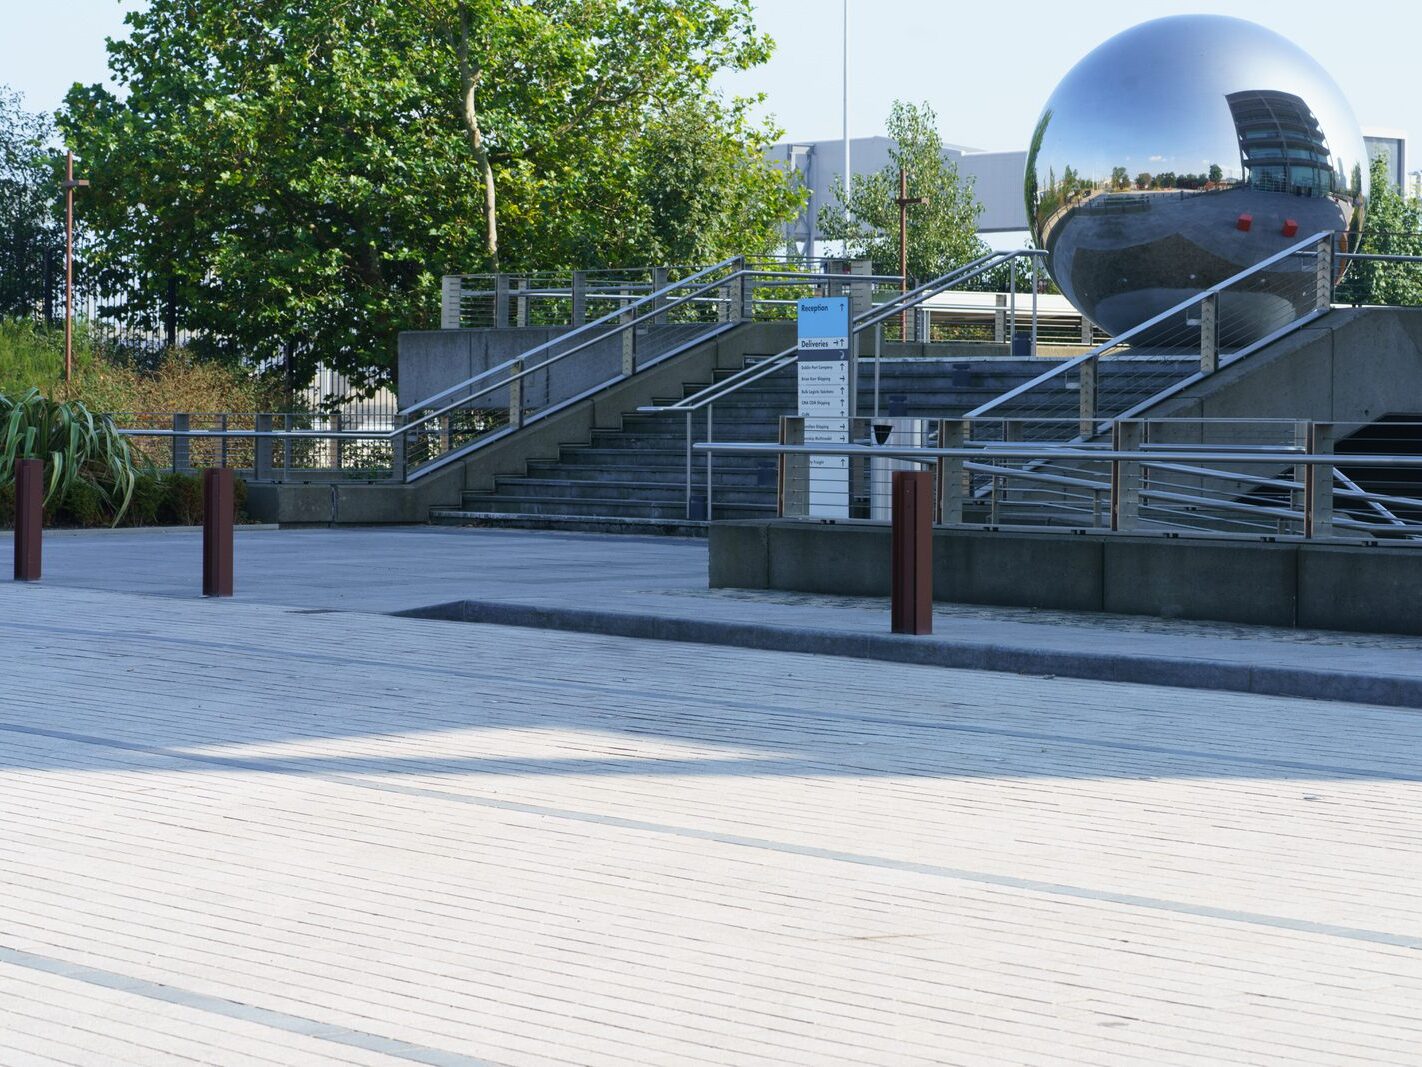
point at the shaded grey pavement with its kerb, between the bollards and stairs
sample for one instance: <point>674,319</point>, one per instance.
<point>656,588</point>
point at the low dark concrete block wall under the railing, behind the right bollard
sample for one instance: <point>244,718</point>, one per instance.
<point>1276,584</point>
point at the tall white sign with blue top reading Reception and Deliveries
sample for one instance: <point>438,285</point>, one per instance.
<point>825,399</point>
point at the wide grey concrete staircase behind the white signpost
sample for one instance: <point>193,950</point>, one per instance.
<point>634,477</point>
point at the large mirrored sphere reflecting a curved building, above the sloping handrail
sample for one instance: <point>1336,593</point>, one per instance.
<point>1181,153</point>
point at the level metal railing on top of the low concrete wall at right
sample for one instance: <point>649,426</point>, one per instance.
<point>1271,479</point>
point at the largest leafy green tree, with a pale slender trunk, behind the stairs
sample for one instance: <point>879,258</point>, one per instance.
<point>305,174</point>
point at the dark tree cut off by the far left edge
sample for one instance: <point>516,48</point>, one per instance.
<point>29,194</point>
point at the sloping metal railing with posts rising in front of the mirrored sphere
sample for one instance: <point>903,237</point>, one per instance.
<point>1175,349</point>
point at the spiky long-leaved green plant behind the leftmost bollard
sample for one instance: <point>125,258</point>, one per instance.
<point>82,452</point>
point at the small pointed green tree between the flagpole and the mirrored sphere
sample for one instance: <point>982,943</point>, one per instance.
<point>942,233</point>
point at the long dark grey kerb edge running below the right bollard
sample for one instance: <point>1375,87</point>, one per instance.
<point>1096,667</point>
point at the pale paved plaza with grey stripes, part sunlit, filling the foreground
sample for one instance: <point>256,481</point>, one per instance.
<point>287,832</point>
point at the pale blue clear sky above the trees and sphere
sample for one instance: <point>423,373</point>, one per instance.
<point>986,68</point>
